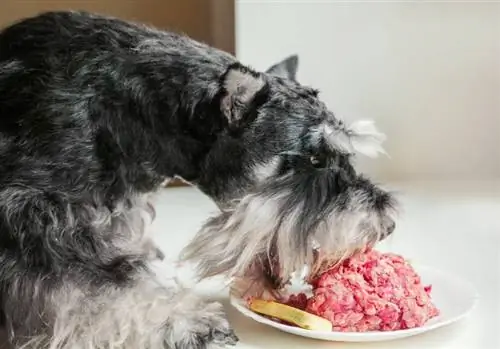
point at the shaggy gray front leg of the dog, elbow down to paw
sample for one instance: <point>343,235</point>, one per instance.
<point>103,294</point>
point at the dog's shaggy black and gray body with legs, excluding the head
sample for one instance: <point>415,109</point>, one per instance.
<point>87,106</point>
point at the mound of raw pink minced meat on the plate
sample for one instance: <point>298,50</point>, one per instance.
<point>371,291</point>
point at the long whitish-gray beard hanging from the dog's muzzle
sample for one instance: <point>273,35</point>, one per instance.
<point>261,224</point>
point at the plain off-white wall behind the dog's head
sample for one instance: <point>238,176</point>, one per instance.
<point>428,73</point>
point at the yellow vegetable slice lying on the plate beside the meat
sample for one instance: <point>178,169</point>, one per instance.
<point>290,314</point>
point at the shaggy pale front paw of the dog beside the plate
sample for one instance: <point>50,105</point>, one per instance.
<point>205,327</point>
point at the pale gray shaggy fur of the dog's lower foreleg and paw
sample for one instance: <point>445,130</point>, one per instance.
<point>148,315</point>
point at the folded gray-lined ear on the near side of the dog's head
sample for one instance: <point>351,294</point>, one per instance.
<point>241,88</point>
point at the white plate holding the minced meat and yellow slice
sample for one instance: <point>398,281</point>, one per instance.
<point>454,297</point>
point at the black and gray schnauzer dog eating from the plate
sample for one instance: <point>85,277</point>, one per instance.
<point>96,113</point>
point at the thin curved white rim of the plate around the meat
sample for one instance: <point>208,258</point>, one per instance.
<point>237,303</point>
